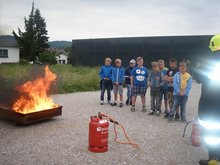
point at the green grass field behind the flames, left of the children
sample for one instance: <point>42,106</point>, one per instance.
<point>69,78</point>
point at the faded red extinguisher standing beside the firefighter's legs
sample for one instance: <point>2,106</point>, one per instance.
<point>196,136</point>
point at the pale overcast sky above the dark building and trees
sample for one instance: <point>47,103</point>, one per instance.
<point>77,19</point>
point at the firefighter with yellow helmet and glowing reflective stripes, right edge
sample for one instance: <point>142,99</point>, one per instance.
<point>208,74</point>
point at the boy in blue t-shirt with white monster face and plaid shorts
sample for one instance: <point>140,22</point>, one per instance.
<point>139,77</point>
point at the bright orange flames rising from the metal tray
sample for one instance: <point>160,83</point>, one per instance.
<point>34,94</point>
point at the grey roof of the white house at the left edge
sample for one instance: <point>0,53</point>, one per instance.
<point>8,41</point>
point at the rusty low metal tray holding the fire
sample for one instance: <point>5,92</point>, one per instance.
<point>24,119</point>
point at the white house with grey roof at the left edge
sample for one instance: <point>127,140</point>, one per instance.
<point>9,49</point>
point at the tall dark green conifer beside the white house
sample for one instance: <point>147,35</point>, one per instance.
<point>33,40</point>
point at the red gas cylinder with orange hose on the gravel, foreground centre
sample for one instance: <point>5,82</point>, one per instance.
<point>98,134</point>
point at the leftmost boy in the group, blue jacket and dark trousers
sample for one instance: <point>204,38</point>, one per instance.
<point>106,80</point>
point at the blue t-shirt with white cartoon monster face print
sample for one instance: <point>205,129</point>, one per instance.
<point>140,76</point>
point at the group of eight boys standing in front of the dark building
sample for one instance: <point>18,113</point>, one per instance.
<point>171,85</point>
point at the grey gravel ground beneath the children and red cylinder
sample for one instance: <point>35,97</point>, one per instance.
<point>64,140</point>
